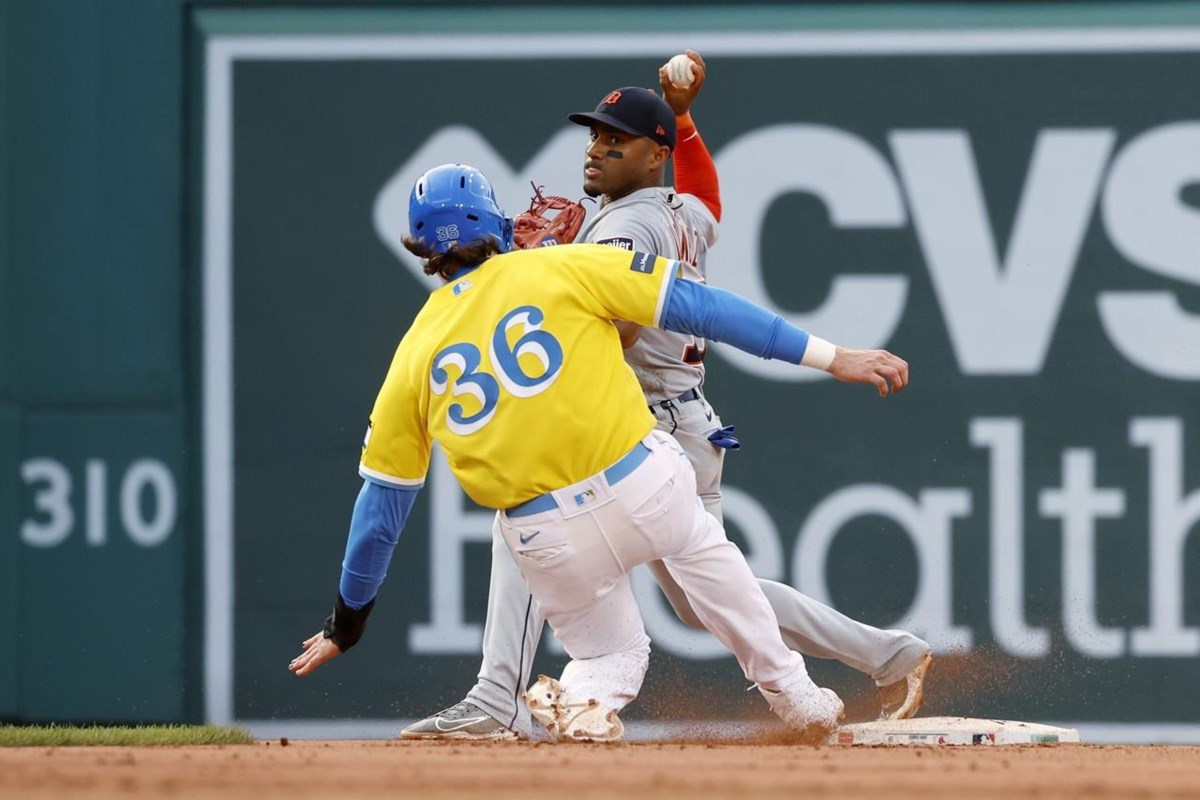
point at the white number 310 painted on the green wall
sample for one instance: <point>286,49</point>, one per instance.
<point>56,518</point>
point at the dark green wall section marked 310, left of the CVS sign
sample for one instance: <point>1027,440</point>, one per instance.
<point>93,369</point>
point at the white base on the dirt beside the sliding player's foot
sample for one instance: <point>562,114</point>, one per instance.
<point>952,731</point>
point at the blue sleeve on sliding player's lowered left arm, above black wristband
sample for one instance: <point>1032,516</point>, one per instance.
<point>380,516</point>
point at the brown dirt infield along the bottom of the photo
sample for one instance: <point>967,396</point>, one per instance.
<point>346,771</point>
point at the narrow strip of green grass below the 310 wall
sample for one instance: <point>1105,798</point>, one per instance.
<point>121,736</point>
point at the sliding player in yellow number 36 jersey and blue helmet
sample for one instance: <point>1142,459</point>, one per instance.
<point>515,370</point>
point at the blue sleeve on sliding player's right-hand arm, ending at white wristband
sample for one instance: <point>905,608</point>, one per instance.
<point>724,317</point>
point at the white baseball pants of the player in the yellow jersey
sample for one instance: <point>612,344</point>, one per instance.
<point>577,561</point>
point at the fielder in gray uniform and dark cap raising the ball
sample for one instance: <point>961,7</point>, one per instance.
<point>629,130</point>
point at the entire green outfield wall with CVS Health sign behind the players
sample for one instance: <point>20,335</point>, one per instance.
<point>202,287</point>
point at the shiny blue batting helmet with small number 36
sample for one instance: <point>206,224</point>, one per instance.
<point>455,204</point>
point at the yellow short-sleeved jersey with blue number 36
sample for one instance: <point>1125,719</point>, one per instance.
<point>517,370</point>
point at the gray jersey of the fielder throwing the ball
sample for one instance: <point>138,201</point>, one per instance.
<point>662,221</point>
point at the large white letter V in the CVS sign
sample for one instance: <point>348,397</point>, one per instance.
<point>1001,310</point>
